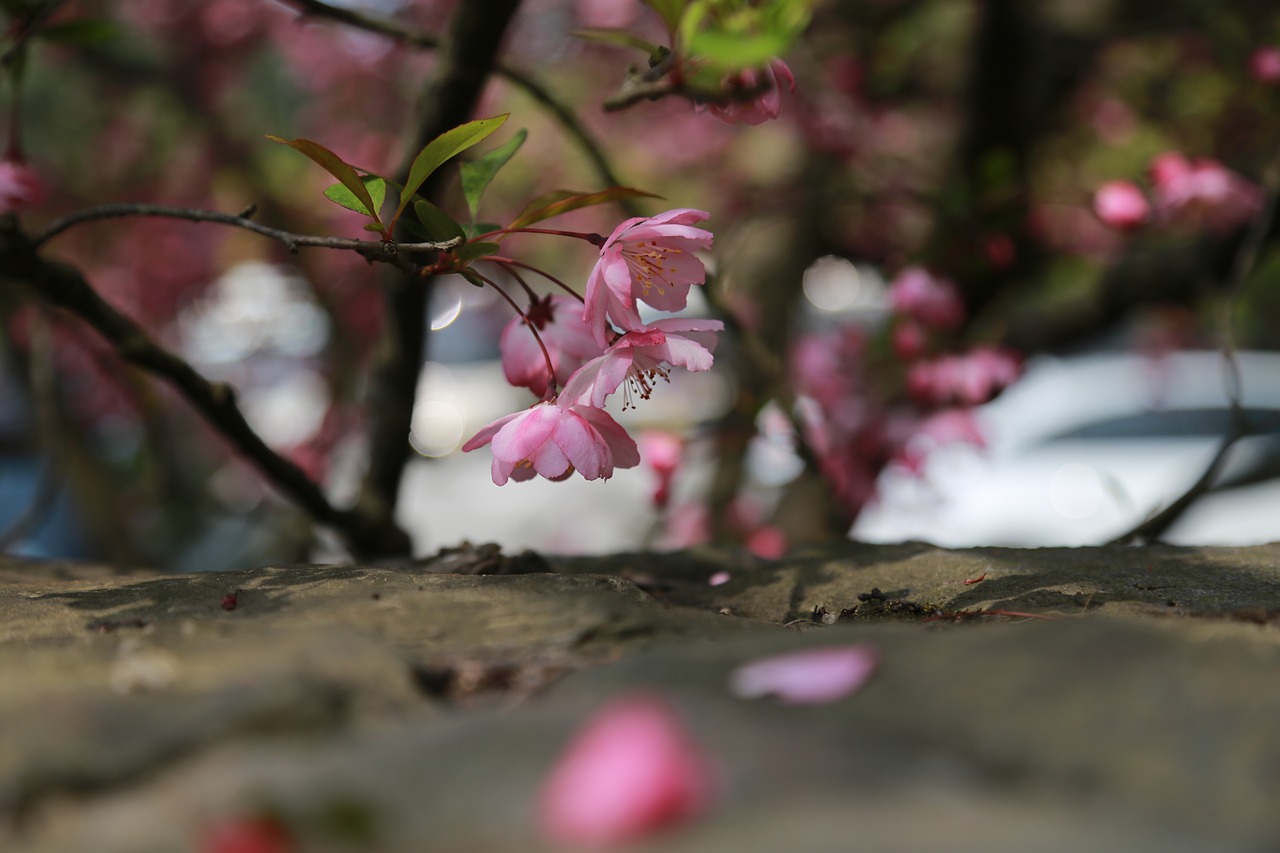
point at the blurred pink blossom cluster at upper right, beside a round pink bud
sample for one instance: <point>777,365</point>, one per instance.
<point>1203,193</point>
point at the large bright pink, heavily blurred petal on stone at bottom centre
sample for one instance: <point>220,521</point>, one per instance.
<point>632,772</point>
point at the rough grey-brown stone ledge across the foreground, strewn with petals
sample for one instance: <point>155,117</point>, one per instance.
<point>418,708</point>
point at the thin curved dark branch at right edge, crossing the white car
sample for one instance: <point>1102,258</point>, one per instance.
<point>1246,258</point>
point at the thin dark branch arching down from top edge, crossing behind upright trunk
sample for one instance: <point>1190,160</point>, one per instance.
<point>561,112</point>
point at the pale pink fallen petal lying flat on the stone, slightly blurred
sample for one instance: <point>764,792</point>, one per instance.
<point>810,677</point>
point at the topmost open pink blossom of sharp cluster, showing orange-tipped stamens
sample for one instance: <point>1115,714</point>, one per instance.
<point>648,259</point>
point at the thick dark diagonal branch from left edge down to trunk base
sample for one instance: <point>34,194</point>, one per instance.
<point>63,286</point>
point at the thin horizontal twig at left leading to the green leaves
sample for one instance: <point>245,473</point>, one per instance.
<point>376,250</point>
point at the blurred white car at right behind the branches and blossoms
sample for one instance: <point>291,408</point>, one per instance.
<point>1081,450</point>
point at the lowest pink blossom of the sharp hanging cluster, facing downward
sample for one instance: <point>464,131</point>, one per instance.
<point>556,441</point>
